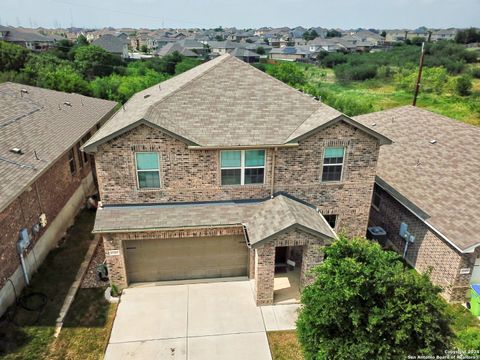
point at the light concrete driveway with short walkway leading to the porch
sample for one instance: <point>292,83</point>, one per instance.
<point>196,322</point>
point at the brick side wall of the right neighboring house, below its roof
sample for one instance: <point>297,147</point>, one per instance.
<point>429,252</point>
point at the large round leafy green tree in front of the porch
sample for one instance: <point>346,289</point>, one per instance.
<point>364,304</point>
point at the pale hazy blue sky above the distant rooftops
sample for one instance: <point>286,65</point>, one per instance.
<point>345,14</point>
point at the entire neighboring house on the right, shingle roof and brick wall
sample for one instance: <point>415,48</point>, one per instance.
<point>428,180</point>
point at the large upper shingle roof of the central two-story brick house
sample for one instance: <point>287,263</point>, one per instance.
<point>224,103</point>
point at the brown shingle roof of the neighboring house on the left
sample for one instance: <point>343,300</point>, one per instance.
<point>44,122</point>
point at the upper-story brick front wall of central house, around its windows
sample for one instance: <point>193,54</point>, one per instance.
<point>194,175</point>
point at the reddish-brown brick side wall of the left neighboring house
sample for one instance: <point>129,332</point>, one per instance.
<point>48,194</point>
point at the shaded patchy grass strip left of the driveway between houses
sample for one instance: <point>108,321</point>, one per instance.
<point>29,334</point>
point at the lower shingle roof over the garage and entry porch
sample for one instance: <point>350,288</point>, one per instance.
<point>262,219</point>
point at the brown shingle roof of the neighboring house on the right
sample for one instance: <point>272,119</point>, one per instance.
<point>433,168</point>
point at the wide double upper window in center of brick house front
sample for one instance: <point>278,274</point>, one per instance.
<point>240,167</point>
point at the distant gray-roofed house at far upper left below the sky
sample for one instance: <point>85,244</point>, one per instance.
<point>27,38</point>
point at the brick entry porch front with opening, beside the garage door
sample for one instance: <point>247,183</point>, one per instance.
<point>265,261</point>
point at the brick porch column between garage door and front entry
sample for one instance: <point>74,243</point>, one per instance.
<point>264,274</point>
